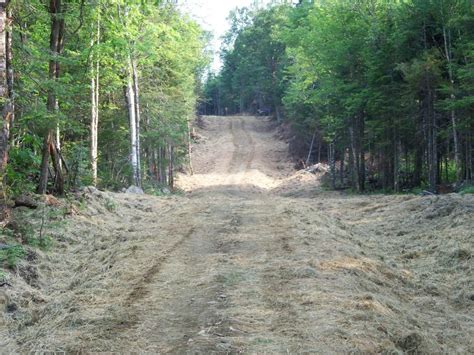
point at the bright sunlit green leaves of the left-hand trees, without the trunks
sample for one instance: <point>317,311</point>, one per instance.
<point>168,48</point>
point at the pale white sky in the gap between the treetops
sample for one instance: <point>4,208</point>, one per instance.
<point>212,16</point>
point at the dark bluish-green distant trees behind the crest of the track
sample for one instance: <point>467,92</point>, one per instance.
<point>254,61</point>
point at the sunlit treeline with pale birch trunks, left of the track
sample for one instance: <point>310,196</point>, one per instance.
<point>96,92</point>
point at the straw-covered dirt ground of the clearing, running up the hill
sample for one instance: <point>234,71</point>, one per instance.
<point>253,258</point>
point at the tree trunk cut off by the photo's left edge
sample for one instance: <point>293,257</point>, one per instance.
<point>6,90</point>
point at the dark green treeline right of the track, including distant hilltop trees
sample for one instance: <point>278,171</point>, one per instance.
<point>382,90</point>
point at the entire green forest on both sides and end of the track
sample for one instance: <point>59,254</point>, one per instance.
<point>103,92</point>
